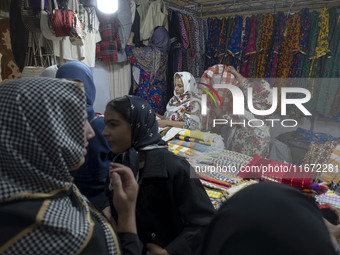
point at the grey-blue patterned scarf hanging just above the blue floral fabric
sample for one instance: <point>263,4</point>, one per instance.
<point>153,58</point>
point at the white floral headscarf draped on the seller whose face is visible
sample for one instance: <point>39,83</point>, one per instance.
<point>182,106</point>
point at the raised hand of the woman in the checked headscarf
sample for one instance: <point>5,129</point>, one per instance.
<point>124,197</point>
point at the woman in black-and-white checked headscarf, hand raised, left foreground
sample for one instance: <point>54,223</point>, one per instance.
<point>44,132</point>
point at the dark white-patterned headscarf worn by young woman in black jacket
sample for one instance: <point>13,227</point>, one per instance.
<point>144,132</point>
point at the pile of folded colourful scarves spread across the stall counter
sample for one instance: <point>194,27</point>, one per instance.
<point>224,172</point>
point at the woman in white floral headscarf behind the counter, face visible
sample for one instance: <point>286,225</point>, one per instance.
<point>184,107</point>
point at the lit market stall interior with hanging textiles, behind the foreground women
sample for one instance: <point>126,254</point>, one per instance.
<point>251,89</point>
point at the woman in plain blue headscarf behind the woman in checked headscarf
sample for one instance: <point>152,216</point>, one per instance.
<point>91,177</point>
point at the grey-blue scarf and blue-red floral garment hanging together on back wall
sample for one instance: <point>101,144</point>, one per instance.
<point>151,60</point>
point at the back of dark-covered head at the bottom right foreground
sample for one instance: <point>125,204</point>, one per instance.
<point>267,219</point>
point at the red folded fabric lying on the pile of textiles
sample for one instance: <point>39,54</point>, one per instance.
<point>274,171</point>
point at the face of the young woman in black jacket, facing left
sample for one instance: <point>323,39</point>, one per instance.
<point>117,131</point>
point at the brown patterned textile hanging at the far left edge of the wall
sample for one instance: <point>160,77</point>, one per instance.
<point>9,69</point>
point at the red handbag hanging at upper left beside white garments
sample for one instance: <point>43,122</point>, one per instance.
<point>61,21</point>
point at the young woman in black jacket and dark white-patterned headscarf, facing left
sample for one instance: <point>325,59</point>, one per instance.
<point>172,206</point>
